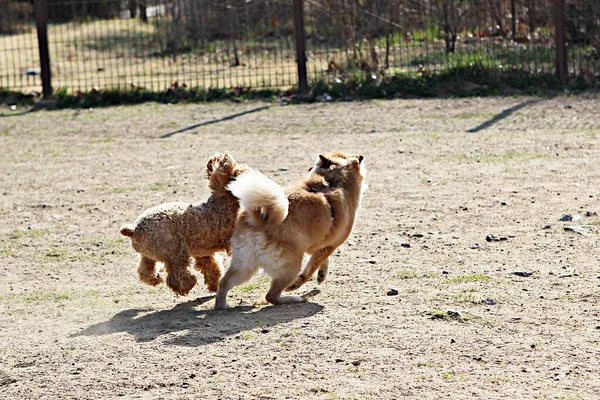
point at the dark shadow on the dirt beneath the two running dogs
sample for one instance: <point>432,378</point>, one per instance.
<point>183,325</point>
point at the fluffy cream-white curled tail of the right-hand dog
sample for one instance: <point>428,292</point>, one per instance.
<point>261,196</point>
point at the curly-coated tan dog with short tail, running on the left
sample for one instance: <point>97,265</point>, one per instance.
<point>171,233</point>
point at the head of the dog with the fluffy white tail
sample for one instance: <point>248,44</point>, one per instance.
<point>338,169</point>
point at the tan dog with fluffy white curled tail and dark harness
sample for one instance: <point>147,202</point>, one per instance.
<point>274,229</point>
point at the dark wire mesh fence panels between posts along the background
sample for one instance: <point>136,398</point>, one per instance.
<point>157,44</point>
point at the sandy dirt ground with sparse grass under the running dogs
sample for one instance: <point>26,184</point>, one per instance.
<point>507,319</point>
